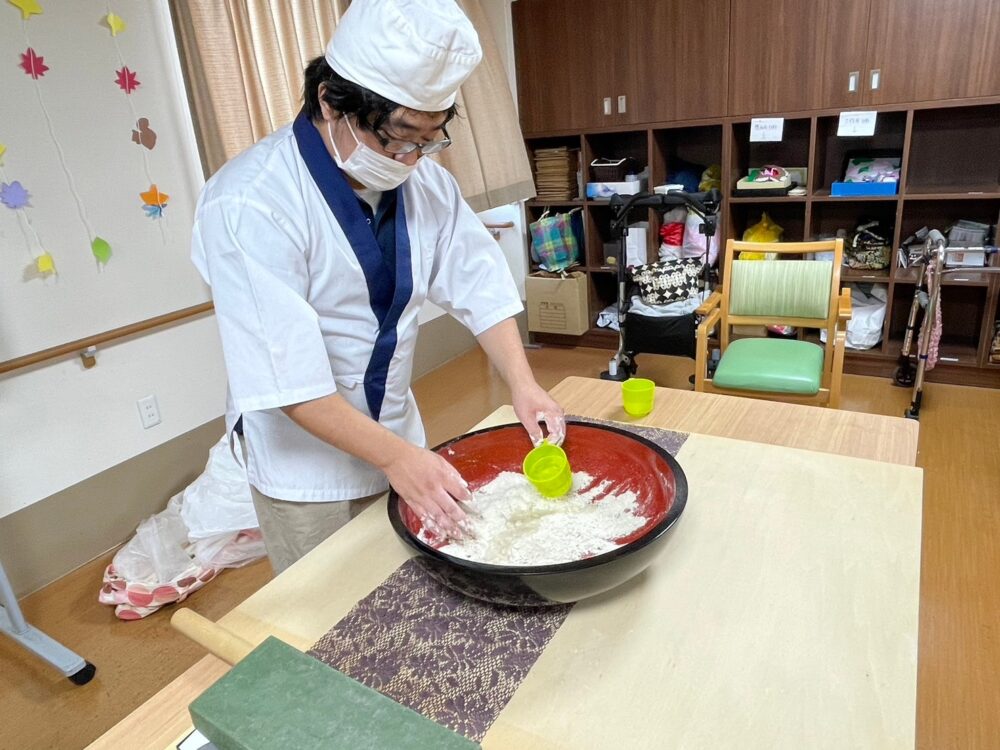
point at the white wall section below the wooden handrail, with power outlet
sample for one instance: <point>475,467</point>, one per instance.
<point>61,423</point>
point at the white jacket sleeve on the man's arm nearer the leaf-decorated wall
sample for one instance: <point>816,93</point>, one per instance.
<point>255,262</point>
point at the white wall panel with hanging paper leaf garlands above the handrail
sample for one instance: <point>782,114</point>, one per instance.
<point>68,135</point>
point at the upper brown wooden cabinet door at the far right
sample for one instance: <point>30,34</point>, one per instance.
<point>932,49</point>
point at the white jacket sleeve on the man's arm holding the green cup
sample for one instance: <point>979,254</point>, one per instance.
<point>470,278</point>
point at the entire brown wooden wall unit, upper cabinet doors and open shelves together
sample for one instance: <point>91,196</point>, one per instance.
<point>666,81</point>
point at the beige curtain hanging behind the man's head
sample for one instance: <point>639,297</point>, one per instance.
<point>243,62</point>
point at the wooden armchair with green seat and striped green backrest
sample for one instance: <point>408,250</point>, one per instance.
<point>805,294</point>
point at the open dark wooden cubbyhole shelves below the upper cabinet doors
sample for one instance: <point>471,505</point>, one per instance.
<point>939,144</point>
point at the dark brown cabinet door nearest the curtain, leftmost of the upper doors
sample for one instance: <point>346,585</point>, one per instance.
<point>569,57</point>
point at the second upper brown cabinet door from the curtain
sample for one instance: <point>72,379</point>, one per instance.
<point>679,59</point>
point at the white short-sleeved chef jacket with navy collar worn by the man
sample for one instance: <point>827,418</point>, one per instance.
<point>294,313</point>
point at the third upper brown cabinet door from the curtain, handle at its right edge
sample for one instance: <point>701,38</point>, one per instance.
<point>790,55</point>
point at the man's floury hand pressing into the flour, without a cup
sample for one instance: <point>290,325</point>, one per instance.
<point>430,486</point>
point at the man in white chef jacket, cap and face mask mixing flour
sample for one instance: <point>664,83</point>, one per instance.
<point>321,243</point>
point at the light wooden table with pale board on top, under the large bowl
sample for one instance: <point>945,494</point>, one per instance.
<point>782,614</point>
